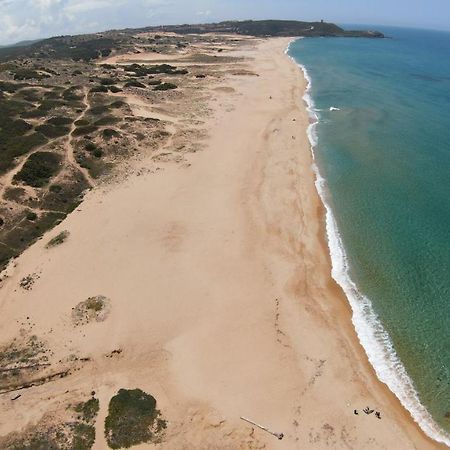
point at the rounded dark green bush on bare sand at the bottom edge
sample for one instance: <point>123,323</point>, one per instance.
<point>133,419</point>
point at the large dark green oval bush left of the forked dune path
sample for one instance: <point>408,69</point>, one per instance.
<point>39,168</point>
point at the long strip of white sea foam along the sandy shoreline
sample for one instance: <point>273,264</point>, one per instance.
<point>371,333</point>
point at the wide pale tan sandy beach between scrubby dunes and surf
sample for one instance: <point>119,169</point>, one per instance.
<point>217,275</point>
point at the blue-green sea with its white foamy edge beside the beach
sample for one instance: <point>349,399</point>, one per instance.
<point>383,164</point>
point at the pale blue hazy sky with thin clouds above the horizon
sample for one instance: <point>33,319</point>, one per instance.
<point>31,19</point>
